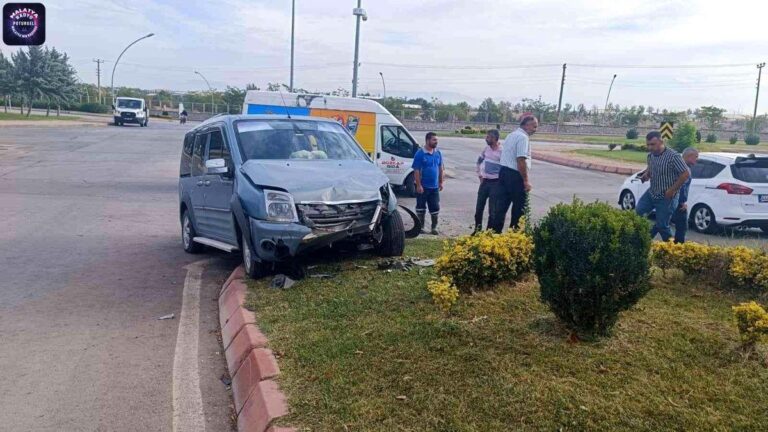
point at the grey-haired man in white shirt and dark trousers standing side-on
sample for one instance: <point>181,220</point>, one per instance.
<point>514,185</point>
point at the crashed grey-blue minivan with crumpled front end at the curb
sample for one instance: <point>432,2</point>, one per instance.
<point>275,187</point>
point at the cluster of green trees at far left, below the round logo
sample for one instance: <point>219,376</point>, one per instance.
<point>37,74</point>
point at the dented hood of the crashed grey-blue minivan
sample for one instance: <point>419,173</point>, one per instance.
<point>318,180</point>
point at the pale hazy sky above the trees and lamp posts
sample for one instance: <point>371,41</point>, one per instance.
<point>448,48</point>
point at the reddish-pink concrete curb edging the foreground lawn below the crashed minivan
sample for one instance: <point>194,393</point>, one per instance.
<point>252,366</point>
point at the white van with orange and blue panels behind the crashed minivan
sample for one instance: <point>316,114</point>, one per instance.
<point>379,133</point>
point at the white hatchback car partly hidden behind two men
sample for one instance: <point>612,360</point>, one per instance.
<point>727,190</point>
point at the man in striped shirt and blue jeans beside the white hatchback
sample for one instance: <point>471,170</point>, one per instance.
<point>667,173</point>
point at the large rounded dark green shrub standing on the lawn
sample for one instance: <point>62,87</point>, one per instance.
<point>592,262</point>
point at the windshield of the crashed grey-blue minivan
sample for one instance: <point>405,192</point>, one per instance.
<point>296,139</point>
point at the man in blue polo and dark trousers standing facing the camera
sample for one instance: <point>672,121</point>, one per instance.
<point>428,176</point>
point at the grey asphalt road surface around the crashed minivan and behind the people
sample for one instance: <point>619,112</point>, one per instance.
<point>90,257</point>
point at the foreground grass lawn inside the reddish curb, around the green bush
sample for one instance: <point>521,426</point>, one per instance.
<point>367,350</point>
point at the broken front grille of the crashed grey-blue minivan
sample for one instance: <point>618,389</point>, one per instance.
<point>337,216</point>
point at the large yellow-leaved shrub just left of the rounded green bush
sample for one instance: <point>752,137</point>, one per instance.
<point>484,259</point>
